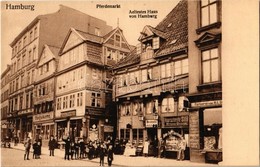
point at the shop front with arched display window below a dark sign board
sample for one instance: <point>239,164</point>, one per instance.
<point>174,128</point>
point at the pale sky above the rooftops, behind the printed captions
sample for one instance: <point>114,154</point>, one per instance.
<point>14,21</point>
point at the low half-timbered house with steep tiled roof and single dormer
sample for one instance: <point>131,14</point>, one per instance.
<point>152,84</point>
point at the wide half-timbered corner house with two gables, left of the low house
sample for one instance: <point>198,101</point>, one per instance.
<point>83,82</point>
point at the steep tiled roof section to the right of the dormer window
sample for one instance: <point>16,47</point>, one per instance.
<point>175,25</point>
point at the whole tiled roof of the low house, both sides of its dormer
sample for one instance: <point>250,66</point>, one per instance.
<point>173,28</point>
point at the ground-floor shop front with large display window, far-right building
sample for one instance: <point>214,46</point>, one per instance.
<point>206,131</point>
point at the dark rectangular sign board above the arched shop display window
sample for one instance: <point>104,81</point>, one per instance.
<point>176,121</point>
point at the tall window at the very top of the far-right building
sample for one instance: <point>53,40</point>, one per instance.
<point>208,12</point>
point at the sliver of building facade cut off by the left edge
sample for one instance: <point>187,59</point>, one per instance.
<point>5,126</point>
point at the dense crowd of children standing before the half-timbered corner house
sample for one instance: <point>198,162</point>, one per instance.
<point>77,149</point>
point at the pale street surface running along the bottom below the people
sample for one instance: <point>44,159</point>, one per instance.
<point>14,157</point>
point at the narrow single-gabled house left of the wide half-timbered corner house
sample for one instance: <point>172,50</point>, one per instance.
<point>44,97</point>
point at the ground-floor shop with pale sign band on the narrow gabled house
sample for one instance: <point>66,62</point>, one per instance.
<point>43,127</point>
